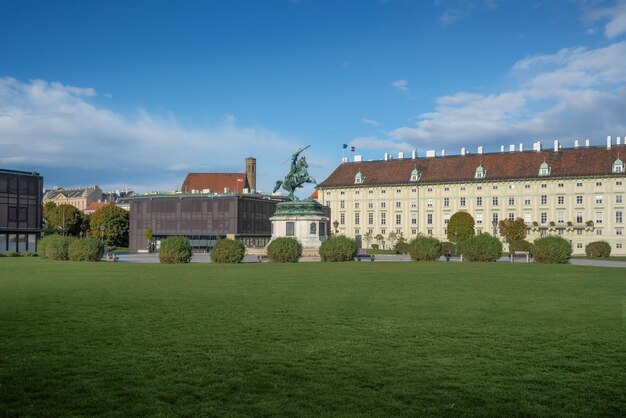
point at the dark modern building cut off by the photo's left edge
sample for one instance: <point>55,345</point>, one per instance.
<point>21,210</point>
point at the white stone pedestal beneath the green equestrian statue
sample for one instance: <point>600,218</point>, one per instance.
<point>303,220</point>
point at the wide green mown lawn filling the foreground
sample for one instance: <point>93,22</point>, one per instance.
<point>317,339</point>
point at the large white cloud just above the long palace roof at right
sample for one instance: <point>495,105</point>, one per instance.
<point>572,93</point>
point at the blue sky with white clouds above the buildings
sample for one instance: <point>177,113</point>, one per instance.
<point>136,94</point>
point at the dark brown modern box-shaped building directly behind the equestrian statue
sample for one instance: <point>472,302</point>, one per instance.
<point>203,218</point>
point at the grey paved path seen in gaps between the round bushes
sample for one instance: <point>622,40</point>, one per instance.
<point>204,258</point>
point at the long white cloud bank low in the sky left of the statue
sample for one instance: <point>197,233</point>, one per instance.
<point>54,126</point>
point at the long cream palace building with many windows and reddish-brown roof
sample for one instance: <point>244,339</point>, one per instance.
<point>578,193</point>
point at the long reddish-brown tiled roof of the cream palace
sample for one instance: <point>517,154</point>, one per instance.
<point>570,162</point>
